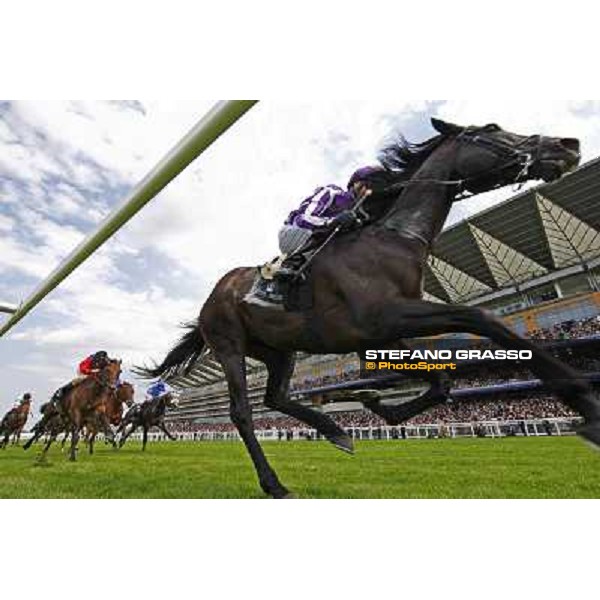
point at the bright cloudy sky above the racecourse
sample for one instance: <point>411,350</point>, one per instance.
<point>65,165</point>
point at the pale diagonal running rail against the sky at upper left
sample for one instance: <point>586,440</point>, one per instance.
<point>220,118</point>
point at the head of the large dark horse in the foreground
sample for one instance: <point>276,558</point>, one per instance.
<point>488,157</point>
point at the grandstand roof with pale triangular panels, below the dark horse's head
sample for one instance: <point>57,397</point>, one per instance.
<point>547,228</point>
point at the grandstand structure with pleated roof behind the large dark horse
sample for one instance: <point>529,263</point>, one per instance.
<point>533,260</point>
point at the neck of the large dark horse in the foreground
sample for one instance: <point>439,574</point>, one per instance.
<point>421,211</point>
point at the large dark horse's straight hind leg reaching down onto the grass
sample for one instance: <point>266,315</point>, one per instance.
<point>234,365</point>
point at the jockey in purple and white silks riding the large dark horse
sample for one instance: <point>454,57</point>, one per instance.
<point>329,208</point>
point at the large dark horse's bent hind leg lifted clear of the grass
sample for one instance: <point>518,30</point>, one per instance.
<point>280,366</point>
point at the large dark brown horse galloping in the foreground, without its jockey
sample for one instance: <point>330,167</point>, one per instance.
<point>367,288</point>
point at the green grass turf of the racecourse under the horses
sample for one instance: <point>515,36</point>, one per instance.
<point>508,468</point>
